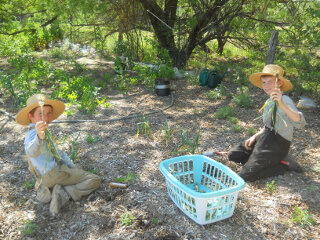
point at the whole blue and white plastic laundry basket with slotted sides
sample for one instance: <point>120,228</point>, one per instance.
<point>204,189</point>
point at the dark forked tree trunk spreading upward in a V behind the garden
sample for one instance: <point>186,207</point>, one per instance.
<point>208,25</point>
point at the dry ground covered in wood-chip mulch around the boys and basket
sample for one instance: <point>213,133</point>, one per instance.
<point>119,151</point>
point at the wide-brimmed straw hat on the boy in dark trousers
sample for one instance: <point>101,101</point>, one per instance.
<point>271,70</point>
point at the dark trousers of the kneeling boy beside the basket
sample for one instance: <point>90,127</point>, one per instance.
<point>264,160</point>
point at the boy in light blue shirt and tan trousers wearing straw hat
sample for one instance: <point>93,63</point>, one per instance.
<point>58,178</point>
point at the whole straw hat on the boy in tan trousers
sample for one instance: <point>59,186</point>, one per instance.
<point>33,102</point>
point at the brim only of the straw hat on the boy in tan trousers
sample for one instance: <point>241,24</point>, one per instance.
<point>57,106</point>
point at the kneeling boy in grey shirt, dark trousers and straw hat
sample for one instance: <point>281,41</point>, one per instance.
<point>265,154</point>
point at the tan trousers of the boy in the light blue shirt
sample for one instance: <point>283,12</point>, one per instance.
<point>77,182</point>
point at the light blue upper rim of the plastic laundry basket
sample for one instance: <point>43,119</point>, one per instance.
<point>176,182</point>
